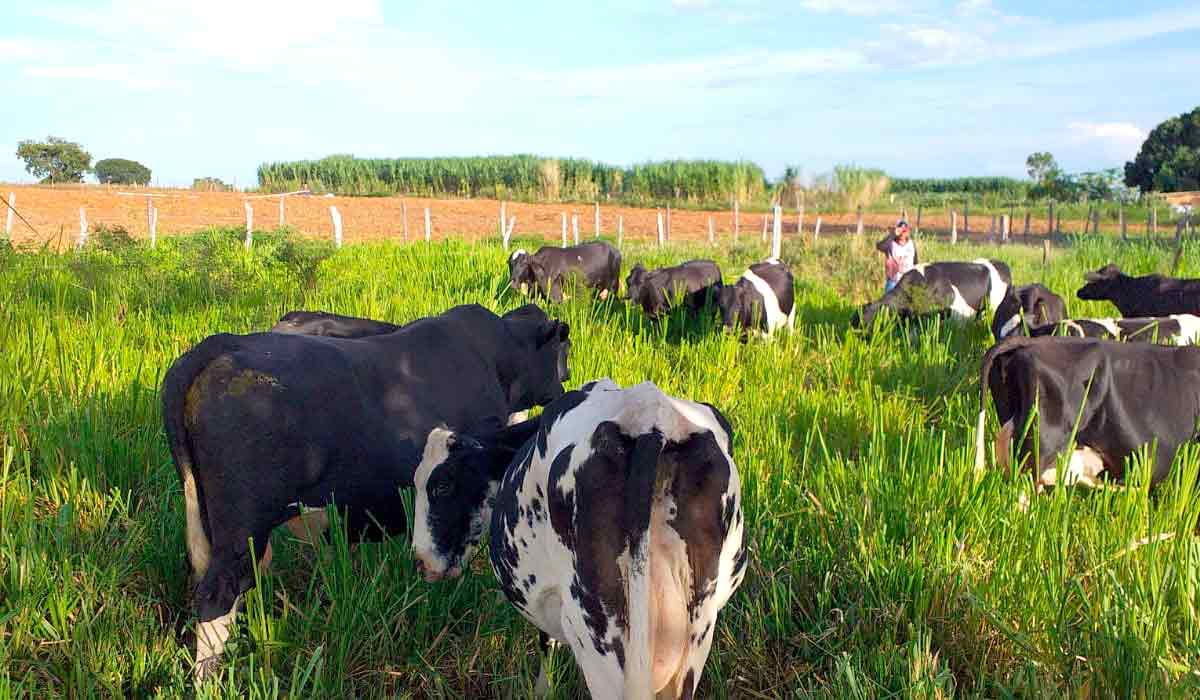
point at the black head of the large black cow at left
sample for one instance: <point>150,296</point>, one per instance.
<point>542,364</point>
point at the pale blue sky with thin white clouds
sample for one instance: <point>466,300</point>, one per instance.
<point>921,88</point>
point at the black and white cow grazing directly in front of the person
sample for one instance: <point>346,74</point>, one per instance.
<point>963,290</point>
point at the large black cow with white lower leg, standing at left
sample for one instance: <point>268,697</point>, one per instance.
<point>268,429</point>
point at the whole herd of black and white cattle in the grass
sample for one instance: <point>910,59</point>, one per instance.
<point>615,517</point>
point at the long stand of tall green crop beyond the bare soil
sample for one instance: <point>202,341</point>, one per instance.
<point>520,177</point>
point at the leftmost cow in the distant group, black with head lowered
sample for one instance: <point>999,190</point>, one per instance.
<point>597,265</point>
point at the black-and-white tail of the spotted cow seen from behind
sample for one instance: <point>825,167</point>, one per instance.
<point>640,501</point>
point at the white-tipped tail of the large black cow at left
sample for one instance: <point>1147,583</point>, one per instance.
<point>176,386</point>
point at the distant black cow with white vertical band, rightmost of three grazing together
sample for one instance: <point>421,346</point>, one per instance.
<point>763,301</point>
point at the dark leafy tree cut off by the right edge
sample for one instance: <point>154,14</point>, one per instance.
<point>1169,159</point>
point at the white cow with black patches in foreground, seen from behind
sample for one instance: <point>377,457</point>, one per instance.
<point>617,530</point>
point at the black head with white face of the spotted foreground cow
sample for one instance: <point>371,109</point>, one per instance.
<point>457,484</point>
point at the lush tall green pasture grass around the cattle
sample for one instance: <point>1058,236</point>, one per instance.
<point>881,565</point>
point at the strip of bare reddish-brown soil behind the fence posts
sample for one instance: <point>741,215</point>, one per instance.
<point>55,214</point>
